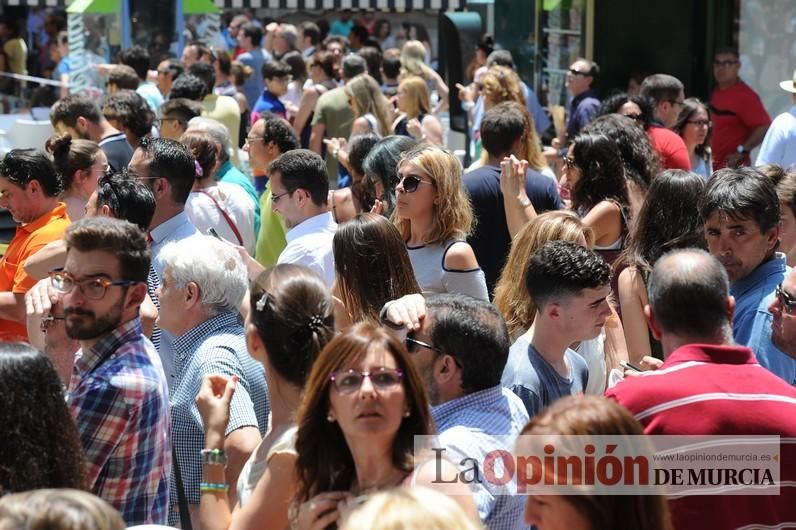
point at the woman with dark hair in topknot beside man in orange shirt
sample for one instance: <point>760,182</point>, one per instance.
<point>80,163</point>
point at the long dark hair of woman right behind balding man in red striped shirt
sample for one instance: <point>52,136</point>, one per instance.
<point>661,229</point>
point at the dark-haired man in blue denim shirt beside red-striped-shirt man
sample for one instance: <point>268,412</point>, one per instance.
<point>741,214</point>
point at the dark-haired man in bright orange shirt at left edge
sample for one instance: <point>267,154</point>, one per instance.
<point>29,189</point>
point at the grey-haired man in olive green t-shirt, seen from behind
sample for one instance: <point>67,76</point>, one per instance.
<point>333,116</point>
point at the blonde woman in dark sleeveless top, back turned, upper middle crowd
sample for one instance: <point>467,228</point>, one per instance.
<point>415,119</point>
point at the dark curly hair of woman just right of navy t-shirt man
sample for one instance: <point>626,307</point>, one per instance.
<point>602,172</point>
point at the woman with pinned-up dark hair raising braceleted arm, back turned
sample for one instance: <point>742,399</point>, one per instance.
<point>290,321</point>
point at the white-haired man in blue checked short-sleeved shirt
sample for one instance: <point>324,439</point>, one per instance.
<point>200,295</point>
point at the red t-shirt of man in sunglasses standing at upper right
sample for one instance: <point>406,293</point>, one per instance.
<point>735,111</point>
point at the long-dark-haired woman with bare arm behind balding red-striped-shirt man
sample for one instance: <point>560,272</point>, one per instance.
<point>668,220</point>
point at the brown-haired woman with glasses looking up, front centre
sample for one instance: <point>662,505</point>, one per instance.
<point>364,404</point>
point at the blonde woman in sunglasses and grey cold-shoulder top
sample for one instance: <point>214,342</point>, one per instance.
<point>434,216</point>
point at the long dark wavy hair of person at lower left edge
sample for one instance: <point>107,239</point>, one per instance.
<point>40,446</point>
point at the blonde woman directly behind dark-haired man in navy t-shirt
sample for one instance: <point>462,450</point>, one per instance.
<point>501,84</point>
